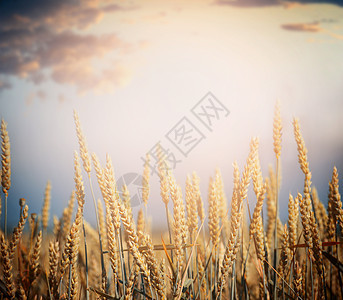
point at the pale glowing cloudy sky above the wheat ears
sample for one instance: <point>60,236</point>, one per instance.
<point>140,72</point>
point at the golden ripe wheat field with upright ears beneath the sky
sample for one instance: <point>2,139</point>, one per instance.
<point>216,245</point>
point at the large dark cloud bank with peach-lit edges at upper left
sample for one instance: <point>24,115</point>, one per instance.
<point>42,40</point>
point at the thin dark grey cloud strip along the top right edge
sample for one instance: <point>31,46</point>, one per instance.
<point>257,3</point>
